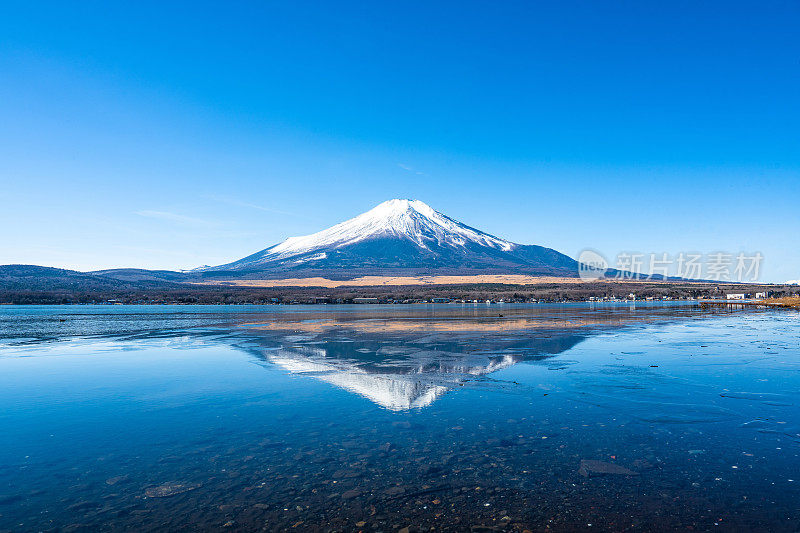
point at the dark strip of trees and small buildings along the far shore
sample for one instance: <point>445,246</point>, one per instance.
<point>780,295</point>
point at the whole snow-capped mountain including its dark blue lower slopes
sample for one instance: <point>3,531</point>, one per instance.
<point>397,237</point>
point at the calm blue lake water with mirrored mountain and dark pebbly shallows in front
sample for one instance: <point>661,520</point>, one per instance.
<point>346,418</point>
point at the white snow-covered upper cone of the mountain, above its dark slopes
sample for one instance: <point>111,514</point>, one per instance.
<point>407,219</point>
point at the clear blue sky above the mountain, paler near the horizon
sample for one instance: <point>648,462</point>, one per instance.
<point>169,135</point>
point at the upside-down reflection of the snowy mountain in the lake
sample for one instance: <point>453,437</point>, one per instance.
<point>399,375</point>
